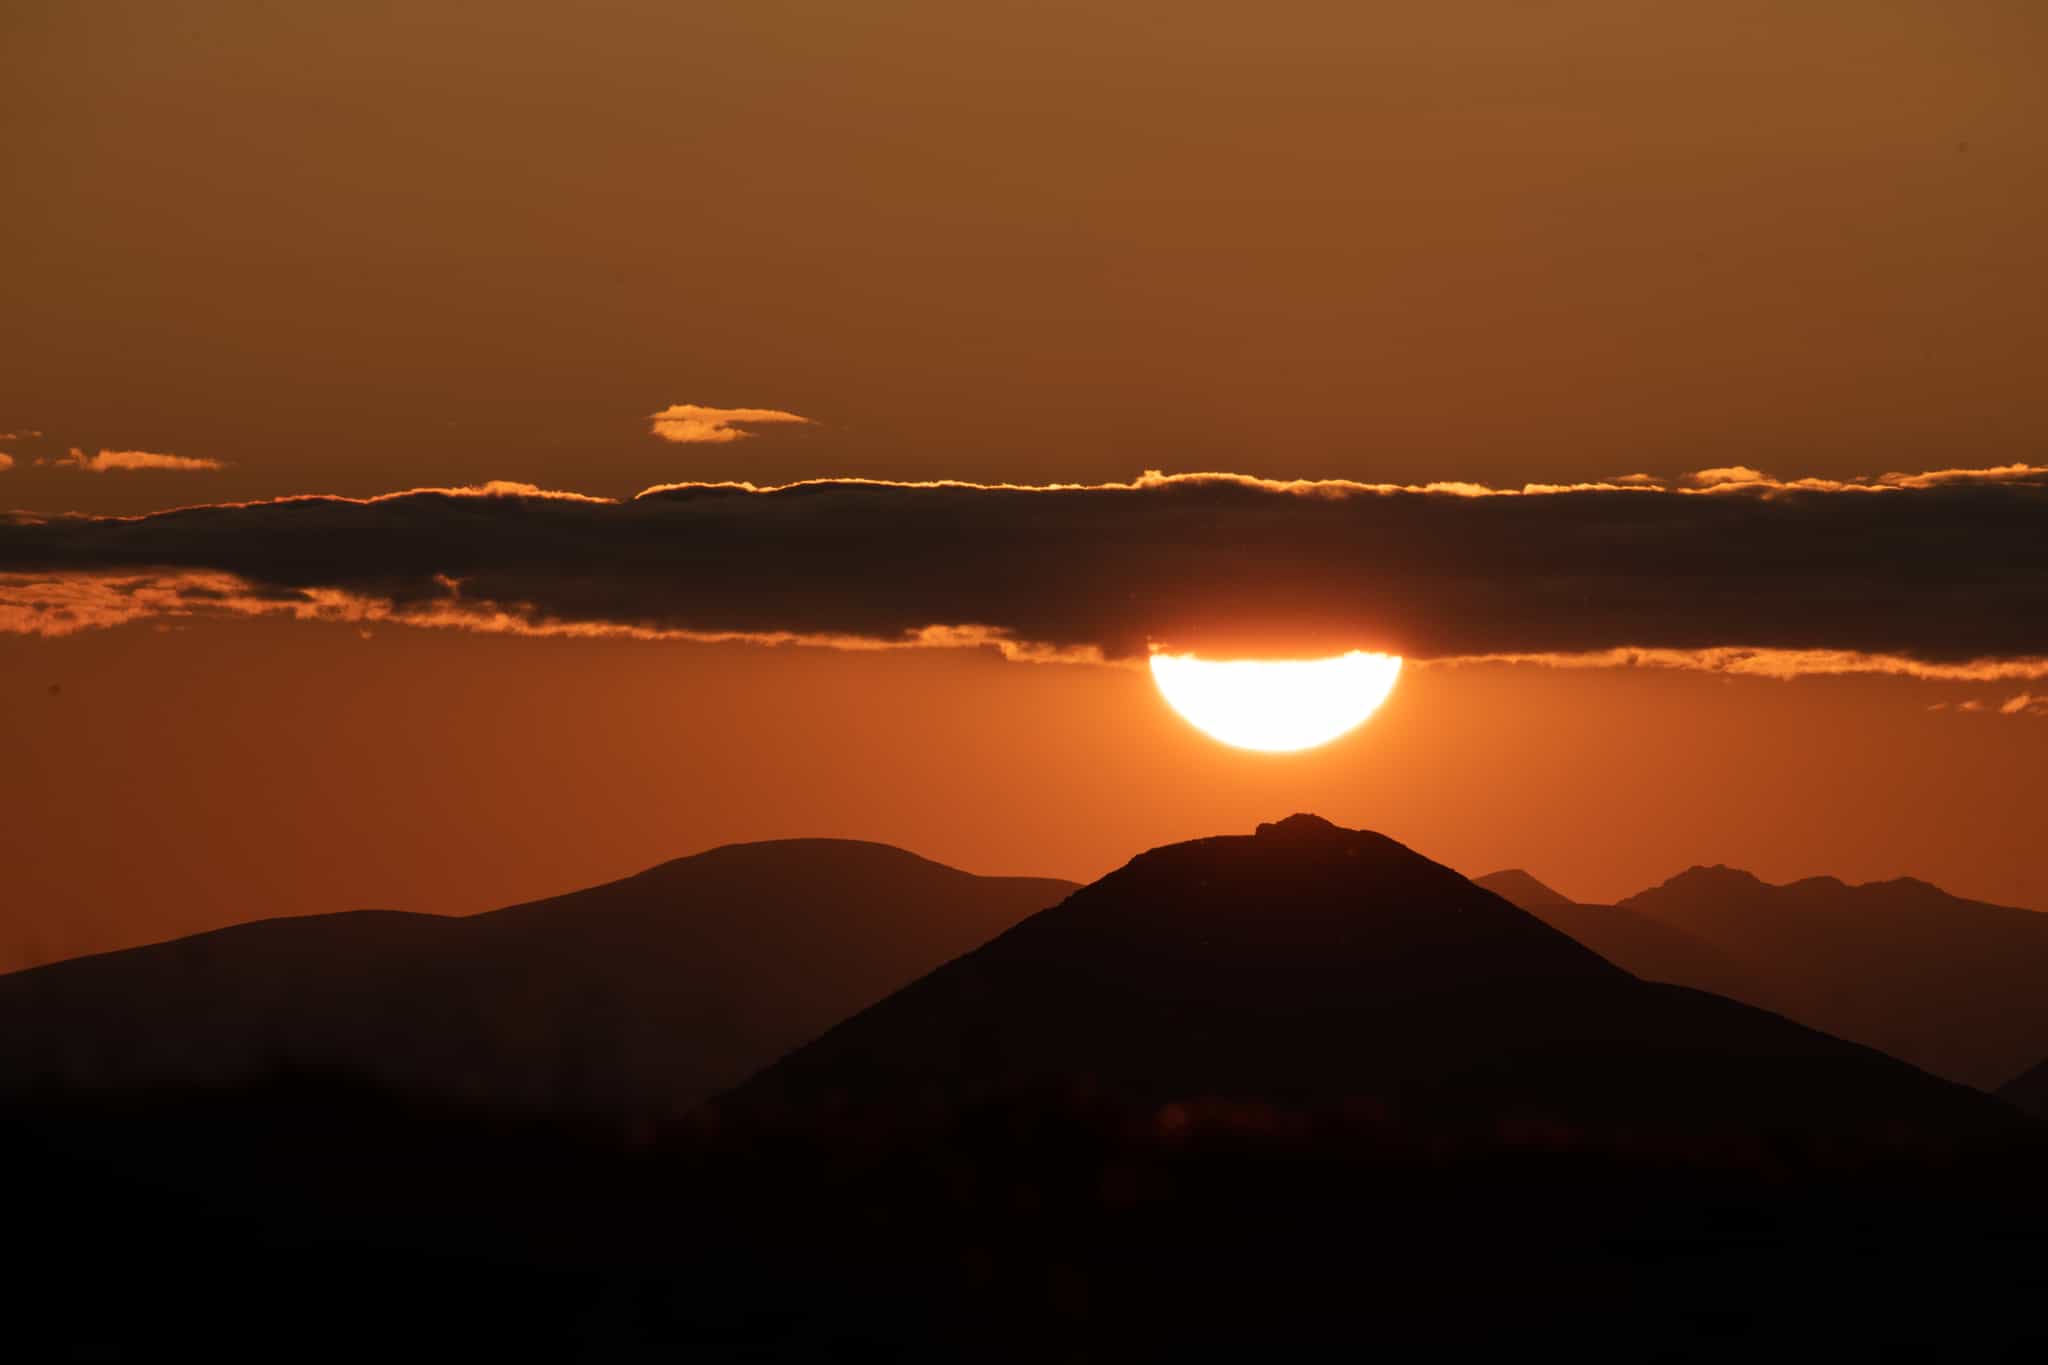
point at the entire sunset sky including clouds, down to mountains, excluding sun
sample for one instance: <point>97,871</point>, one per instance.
<point>1684,355</point>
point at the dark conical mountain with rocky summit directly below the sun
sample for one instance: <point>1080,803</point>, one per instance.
<point>1316,967</point>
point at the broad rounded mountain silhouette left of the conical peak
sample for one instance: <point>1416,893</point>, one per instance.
<point>640,996</point>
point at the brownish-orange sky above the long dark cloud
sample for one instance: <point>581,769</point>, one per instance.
<point>370,247</point>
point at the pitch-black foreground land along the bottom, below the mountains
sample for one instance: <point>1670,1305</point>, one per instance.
<point>312,1223</point>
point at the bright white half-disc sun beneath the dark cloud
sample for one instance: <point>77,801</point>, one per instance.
<point>1277,705</point>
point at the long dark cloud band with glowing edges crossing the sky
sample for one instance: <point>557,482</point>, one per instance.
<point>1936,578</point>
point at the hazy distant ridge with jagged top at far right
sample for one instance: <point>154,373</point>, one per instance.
<point>1957,987</point>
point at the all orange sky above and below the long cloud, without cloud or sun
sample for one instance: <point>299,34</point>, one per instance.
<point>275,249</point>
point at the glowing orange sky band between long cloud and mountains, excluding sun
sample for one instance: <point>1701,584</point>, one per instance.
<point>226,770</point>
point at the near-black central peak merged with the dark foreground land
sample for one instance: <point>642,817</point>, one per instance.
<point>1273,1094</point>
